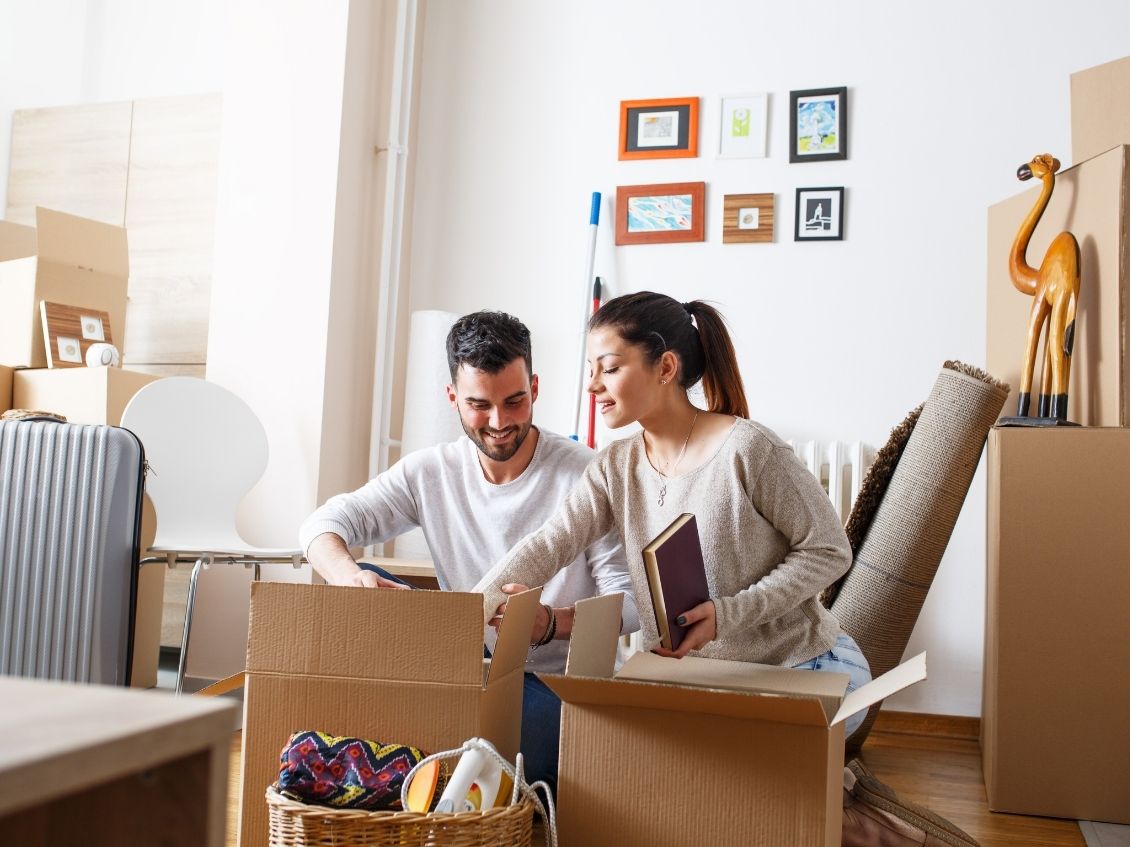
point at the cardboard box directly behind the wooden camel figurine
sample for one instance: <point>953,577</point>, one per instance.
<point>1090,202</point>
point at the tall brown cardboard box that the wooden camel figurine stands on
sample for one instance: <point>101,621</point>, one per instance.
<point>1055,735</point>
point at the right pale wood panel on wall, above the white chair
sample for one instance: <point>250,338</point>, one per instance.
<point>171,219</point>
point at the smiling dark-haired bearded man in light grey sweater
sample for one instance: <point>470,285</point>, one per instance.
<point>475,499</point>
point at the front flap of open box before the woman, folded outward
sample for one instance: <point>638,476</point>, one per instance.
<point>790,710</point>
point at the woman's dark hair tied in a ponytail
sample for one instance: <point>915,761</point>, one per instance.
<point>693,331</point>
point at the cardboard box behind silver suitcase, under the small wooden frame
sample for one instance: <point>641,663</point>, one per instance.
<point>100,396</point>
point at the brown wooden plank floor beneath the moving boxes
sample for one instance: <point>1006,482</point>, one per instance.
<point>934,764</point>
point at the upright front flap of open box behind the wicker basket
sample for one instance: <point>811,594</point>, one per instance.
<point>326,631</point>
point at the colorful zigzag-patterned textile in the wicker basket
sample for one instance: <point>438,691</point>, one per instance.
<point>345,773</point>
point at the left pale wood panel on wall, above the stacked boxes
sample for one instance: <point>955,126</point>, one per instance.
<point>71,159</point>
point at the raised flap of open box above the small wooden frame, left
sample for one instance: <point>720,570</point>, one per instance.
<point>82,243</point>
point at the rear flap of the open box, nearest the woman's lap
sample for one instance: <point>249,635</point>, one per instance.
<point>829,688</point>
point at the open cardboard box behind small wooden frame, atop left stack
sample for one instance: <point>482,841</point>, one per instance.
<point>64,259</point>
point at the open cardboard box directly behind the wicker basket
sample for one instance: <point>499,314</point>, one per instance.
<point>388,666</point>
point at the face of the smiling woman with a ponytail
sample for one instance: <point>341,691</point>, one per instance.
<point>627,387</point>
